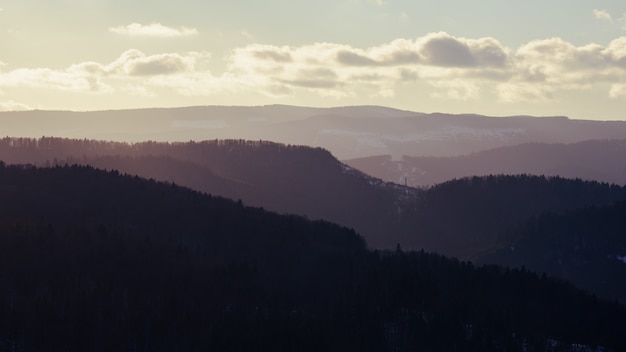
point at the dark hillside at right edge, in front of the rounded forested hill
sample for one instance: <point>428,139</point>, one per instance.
<point>585,246</point>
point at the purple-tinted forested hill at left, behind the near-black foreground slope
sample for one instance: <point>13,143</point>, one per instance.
<point>287,179</point>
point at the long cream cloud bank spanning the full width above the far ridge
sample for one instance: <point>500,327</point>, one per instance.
<point>436,64</point>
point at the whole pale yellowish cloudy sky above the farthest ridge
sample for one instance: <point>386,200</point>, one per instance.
<point>492,57</point>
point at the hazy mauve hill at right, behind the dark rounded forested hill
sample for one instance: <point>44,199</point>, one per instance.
<point>598,160</point>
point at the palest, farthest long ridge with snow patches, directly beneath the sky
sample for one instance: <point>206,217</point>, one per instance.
<point>348,132</point>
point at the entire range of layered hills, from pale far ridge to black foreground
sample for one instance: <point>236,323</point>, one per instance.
<point>240,233</point>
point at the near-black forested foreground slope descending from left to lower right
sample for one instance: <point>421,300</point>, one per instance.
<point>98,261</point>
